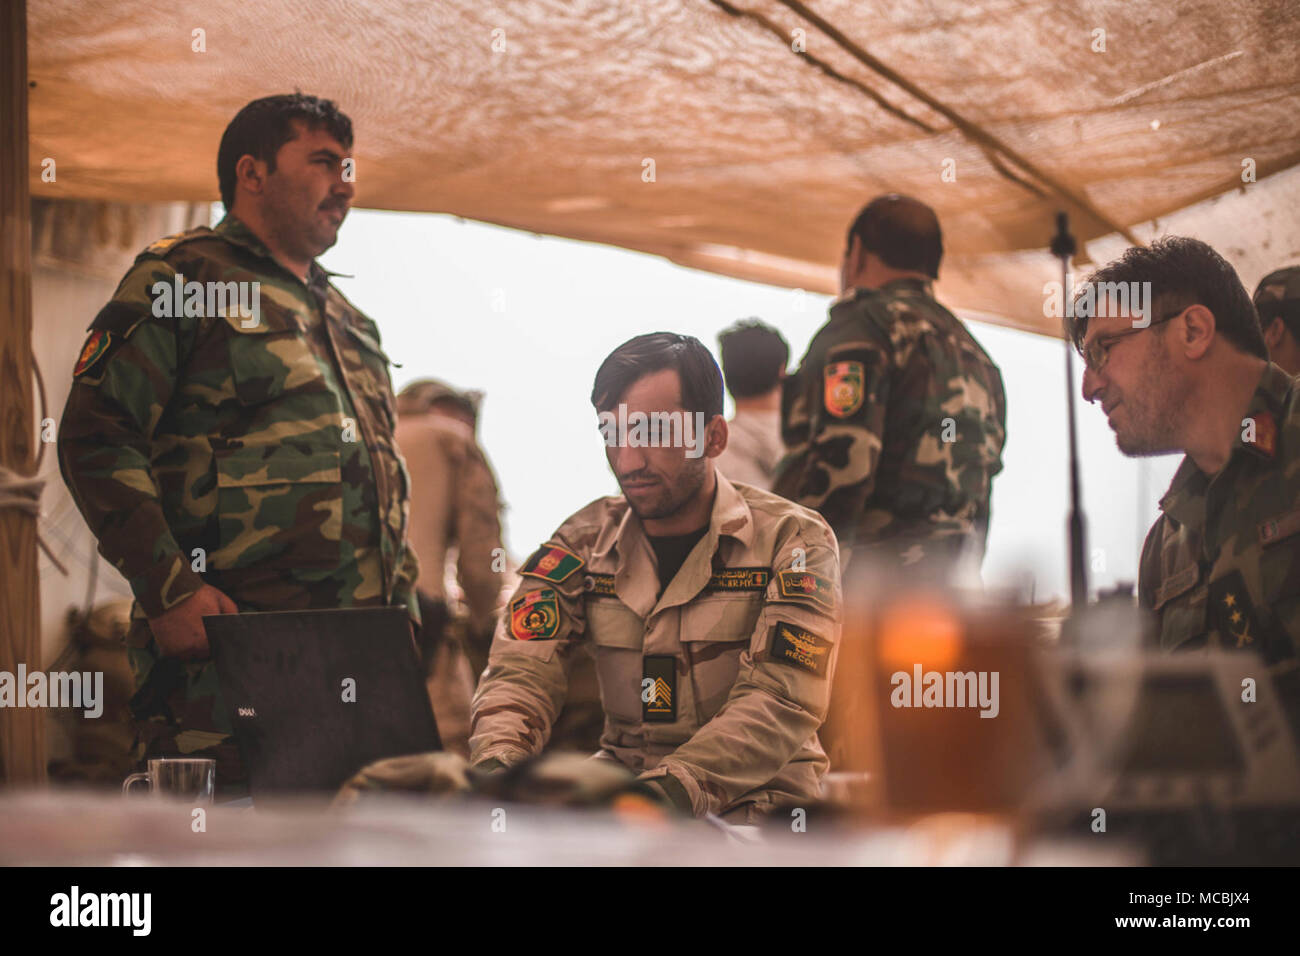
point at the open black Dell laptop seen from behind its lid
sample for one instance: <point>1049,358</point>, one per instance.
<point>314,697</point>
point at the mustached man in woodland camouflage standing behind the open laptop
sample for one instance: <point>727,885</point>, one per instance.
<point>229,432</point>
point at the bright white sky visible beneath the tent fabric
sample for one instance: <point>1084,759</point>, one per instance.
<point>528,321</point>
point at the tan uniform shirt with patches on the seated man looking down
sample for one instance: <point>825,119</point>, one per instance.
<point>714,690</point>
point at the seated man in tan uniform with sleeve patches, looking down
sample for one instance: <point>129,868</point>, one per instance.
<point>713,611</point>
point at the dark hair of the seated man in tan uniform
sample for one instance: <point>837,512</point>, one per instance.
<point>701,379</point>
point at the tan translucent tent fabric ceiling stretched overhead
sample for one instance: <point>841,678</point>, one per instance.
<point>761,155</point>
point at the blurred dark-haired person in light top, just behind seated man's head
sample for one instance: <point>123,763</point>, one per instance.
<point>755,357</point>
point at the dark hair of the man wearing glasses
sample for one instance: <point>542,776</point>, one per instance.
<point>1182,272</point>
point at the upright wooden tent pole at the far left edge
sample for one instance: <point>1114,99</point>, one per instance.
<point>23,730</point>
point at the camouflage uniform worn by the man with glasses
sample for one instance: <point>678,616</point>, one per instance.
<point>1221,566</point>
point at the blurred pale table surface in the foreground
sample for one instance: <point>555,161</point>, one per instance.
<point>62,828</point>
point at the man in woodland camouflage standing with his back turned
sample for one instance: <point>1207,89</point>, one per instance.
<point>896,419</point>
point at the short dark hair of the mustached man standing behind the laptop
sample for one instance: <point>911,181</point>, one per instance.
<point>266,126</point>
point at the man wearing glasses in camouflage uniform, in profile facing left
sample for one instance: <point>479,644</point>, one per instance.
<point>1221,565</point>
